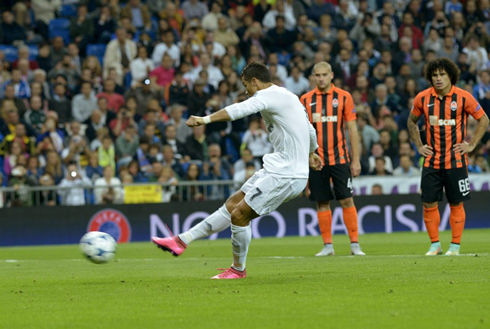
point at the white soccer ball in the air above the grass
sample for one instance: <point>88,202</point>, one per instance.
<point>98,247</point>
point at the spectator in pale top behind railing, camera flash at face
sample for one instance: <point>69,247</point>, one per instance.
<point>71,188</point>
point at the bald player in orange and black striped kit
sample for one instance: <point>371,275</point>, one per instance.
<point>331,110</point>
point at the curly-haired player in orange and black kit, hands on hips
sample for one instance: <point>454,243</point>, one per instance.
<point>446,109</point>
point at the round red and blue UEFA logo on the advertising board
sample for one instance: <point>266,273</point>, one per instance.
<point>112,222</point>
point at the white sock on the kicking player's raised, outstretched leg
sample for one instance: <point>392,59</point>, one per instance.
<point>216,222</point>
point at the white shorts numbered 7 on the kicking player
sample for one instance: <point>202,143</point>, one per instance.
<point>264,192</point>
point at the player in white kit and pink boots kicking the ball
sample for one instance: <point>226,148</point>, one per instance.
<point>285,172</point>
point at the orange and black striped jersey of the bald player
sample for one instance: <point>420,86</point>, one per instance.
<point>328,113</point>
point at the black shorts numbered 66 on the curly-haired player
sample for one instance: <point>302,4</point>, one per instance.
<point>454,181</point>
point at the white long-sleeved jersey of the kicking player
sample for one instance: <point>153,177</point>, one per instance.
<point>290,131</point>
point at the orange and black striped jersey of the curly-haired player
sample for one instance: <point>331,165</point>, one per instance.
<point>446,120</point>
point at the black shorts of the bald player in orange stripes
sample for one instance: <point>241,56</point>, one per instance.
<point>319,183</point>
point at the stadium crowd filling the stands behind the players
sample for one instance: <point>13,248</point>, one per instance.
<point>98,91</point>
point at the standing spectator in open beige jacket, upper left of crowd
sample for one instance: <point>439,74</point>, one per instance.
<point>119,54</point>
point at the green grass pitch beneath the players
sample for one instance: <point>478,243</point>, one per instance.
<point>393,287</point>
